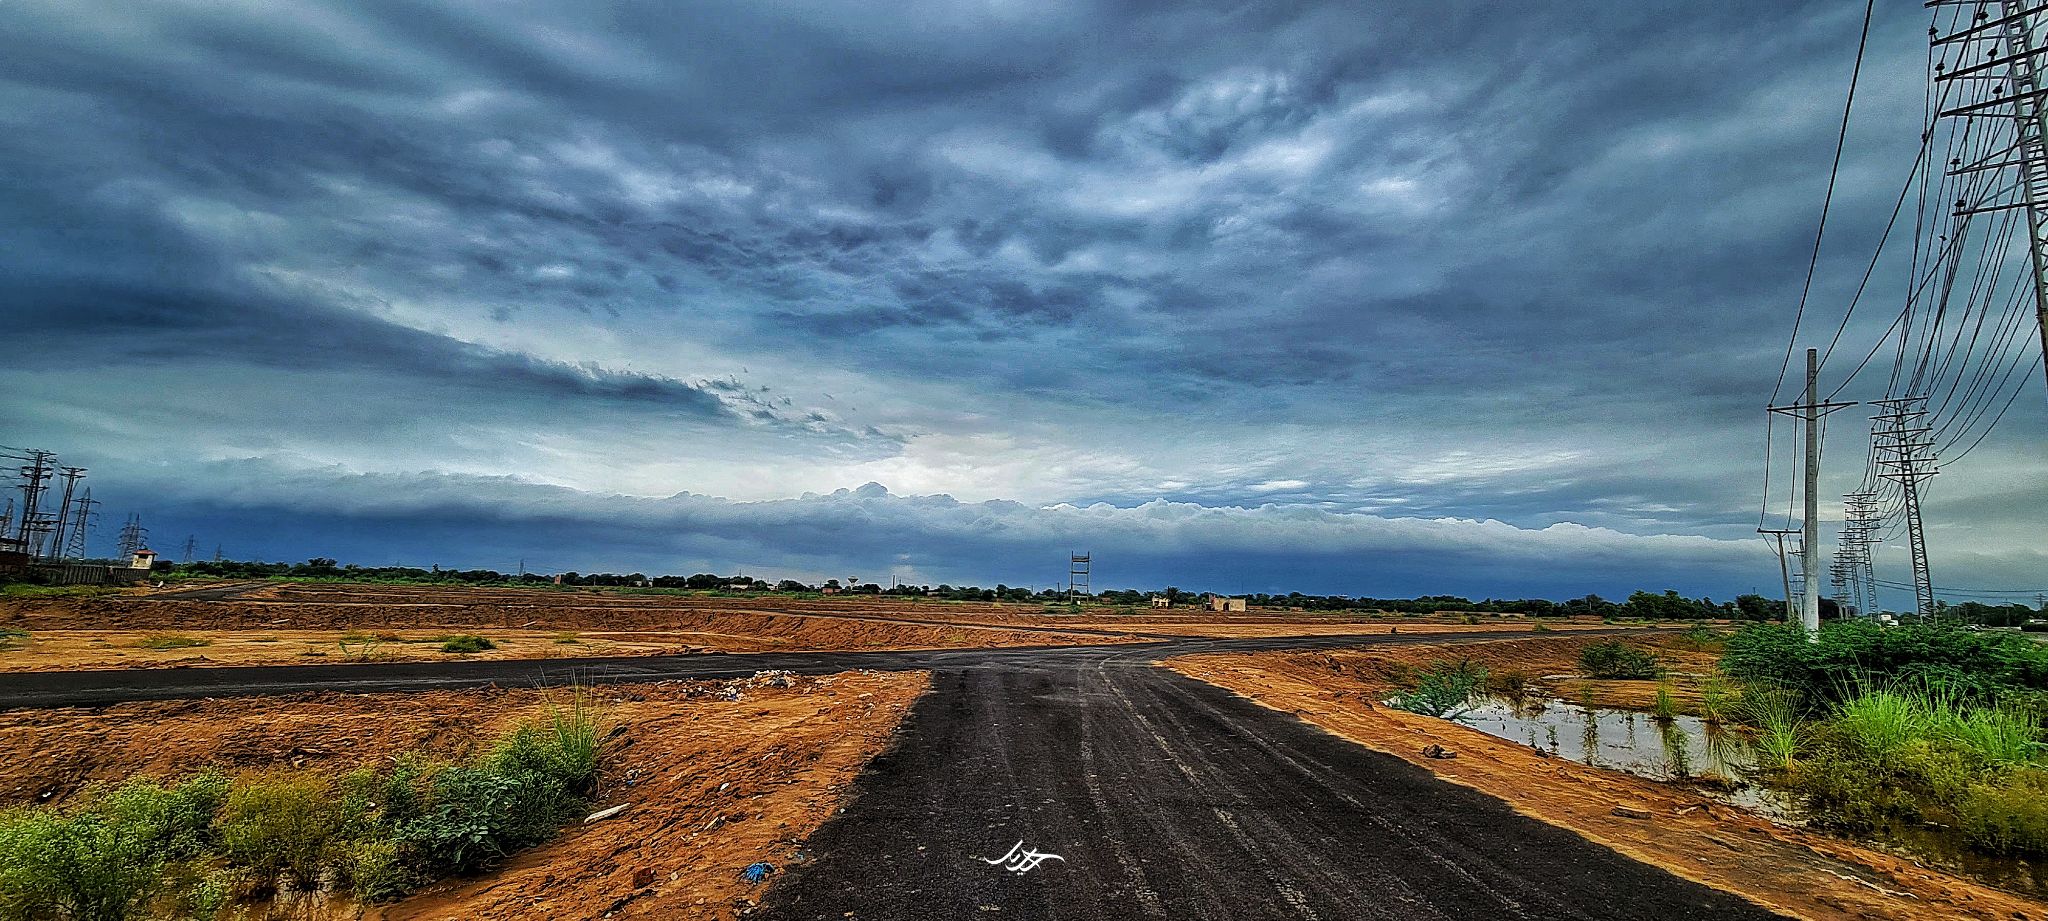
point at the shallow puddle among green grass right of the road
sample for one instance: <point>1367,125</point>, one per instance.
<point>1689,748</point>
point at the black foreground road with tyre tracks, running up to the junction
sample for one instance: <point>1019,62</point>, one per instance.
<point>1170,799</point>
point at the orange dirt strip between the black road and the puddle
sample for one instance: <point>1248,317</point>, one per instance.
<point>1678,830</point>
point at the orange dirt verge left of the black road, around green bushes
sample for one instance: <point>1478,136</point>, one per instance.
<point>712,785</point>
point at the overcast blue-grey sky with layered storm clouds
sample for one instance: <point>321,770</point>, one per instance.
<point>1371,298</point>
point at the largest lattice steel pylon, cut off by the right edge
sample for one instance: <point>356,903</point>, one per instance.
<point>1998,71</point>
